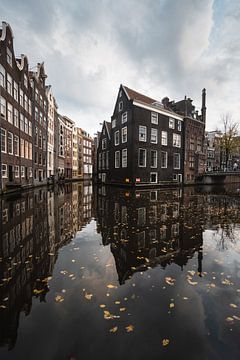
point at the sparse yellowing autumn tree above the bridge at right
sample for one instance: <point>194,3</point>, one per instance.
<point>229,141</point>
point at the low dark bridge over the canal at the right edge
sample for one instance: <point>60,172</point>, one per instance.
<point>219,177</point>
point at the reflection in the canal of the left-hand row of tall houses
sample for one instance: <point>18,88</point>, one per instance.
<point>34,227</point>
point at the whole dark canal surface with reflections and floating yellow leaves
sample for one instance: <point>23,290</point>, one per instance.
<point>115,273</point>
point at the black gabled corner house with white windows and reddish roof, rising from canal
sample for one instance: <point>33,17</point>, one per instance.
<point>146,142</point>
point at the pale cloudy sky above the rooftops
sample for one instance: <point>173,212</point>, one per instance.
<point>159,47</point>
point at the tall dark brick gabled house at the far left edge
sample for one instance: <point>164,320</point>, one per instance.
<point>16,115</point>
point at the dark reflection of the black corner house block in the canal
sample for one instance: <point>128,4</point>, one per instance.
<point>145,228</point>
